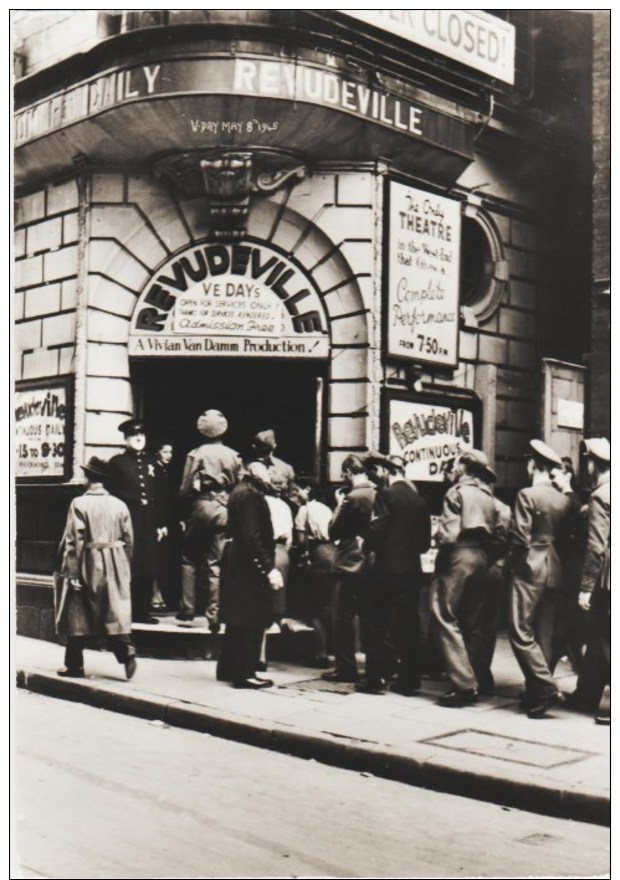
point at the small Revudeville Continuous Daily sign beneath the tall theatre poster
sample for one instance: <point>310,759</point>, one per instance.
<point>428,437</point>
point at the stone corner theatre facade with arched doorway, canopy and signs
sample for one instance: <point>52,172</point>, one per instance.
<point>361,229</point>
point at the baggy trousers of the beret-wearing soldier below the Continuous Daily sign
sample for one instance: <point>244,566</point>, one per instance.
<point>460,567</point>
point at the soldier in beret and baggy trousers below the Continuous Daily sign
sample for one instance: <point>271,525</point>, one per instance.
<point>464,533</point>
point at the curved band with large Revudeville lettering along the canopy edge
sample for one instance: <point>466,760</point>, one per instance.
<point>253,77</point>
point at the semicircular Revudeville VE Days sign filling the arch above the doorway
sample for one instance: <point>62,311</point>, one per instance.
<point>229,300</point>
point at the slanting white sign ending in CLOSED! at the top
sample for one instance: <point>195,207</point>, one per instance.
<point>470,36</point>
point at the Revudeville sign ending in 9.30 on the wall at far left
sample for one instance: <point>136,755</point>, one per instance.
<point>40,426</point>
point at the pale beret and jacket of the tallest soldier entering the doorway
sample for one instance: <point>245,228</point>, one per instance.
<point>213,458</point>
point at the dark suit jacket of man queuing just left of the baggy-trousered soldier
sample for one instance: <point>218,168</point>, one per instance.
<point>401,529</point>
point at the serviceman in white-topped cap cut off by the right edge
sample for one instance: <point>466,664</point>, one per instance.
<point>595,589</point>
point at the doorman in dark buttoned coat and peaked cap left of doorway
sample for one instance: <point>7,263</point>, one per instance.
<point>132,477</point>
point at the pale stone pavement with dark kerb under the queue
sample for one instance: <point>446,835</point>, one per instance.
<point>491,751</point>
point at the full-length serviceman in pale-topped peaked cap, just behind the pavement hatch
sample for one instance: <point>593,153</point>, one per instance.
<point>540,521</point>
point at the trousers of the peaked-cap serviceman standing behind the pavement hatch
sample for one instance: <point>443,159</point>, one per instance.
<point>533,615</point>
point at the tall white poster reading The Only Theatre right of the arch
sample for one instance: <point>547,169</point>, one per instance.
<point>423,276</point>
